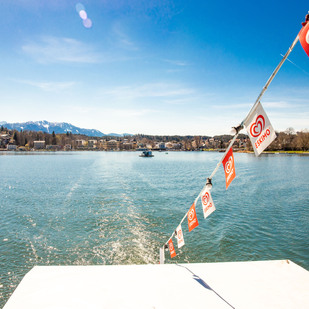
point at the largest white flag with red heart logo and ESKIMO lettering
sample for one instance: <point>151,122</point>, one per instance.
<point>259,129</point>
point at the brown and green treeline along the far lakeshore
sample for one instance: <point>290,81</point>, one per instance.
<point>285,141</point>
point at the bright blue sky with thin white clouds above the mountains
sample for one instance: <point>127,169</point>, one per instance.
<point>152,67</point>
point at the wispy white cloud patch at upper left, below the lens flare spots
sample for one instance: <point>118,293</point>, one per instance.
<point>53,50</point>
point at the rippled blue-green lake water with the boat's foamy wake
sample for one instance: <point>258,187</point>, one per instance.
<point>83,208</point>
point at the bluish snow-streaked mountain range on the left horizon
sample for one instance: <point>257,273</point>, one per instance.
<point>57,127</point>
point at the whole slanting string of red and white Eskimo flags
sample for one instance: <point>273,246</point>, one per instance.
<point>261,134</point>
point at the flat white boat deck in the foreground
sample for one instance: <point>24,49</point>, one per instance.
<point>266,284</point>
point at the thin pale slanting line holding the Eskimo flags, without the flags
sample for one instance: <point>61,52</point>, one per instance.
<point>241,126</point>
